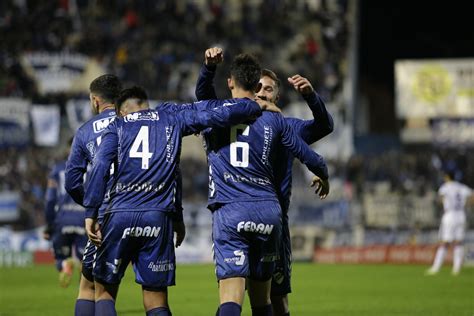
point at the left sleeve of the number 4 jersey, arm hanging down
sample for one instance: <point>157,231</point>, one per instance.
<point>106,154</point>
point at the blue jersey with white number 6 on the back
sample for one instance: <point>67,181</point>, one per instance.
<point>241,159</point>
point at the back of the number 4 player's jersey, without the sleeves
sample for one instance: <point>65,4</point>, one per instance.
<point>149,145</point>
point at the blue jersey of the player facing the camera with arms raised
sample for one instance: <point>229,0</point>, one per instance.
<point>309,130</point>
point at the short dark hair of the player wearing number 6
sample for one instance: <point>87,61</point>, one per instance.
<point>246,71</point>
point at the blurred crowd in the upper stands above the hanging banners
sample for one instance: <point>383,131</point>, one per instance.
<point>160,44</point>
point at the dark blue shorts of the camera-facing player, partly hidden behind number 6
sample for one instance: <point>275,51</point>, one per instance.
<point>281,280</point>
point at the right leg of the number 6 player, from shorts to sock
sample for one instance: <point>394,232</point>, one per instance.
<point>263,254</point>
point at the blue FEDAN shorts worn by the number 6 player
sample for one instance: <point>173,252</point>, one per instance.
<point>246,237</point>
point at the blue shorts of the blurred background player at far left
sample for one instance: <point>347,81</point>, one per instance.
<point>65,239</point>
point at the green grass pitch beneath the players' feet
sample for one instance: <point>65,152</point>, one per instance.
<point>317,290</point>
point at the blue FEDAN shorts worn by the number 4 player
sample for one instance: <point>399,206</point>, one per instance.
<point>143,238</point>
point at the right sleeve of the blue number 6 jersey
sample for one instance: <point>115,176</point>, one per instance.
<point>301,150</point>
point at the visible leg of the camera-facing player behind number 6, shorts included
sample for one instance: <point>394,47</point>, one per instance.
<point>281,280</point>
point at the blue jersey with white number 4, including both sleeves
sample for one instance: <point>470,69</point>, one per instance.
<point>145,147</point>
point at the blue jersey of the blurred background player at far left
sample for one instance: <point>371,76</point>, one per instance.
<point>63,211</point>
